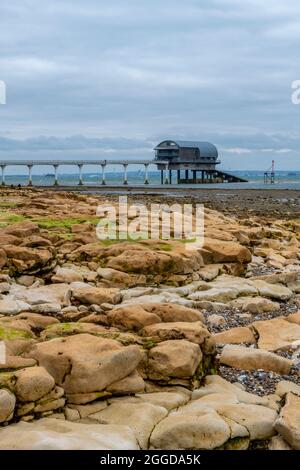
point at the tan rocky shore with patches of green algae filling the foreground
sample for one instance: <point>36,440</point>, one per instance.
<point>144,344</point>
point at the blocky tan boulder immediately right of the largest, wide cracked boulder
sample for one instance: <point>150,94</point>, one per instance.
<point>174,358</point>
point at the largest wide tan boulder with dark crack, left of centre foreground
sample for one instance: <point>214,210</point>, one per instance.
<point>85,363</point>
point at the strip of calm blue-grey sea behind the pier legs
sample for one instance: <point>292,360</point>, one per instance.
<point>283,180</point>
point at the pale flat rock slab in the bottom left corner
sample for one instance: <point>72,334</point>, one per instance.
<point>54,434</point>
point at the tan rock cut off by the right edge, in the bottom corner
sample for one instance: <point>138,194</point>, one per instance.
<point>288,423</point>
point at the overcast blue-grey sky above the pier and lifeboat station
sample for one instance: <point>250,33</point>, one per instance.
<point>111,79</point>
